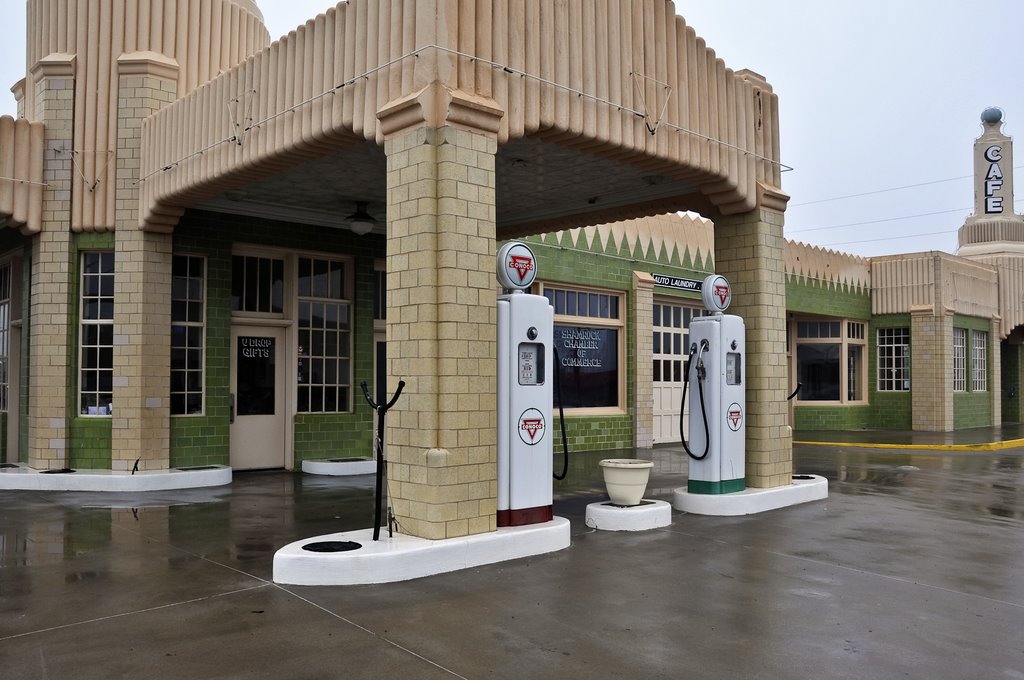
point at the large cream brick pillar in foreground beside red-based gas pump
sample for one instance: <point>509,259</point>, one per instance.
<point>441,331</point>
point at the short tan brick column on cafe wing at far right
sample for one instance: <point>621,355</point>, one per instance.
<point>931,369</point>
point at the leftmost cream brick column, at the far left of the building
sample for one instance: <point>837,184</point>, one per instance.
<point>51,379</point>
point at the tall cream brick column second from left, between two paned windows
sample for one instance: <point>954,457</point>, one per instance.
<point>141,424</point>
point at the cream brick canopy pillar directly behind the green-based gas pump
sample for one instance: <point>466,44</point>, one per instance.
<point>749,253</point>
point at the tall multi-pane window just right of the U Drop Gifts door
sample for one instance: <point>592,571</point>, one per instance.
<point>325,336</point>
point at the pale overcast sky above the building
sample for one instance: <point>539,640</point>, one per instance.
<point>874,96</point>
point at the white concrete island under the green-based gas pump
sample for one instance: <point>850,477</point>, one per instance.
<point>752,501</point>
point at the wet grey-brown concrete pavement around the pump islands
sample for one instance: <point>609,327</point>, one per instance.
<point>914,568</point>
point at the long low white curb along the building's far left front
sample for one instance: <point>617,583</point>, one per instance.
<point>26,479</point>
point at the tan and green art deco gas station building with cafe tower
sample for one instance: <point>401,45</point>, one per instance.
<point>214,240</point>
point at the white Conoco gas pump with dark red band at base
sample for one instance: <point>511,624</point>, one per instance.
<point>526,330</point>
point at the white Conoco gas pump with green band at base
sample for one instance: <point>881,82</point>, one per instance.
<point>715,373</point>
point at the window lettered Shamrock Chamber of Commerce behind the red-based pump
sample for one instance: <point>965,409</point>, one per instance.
<point>589,325</point>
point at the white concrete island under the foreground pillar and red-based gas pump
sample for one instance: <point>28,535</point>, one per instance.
<point>405,558</point>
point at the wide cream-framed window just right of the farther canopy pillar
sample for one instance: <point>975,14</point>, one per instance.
<point>825,348</point>
